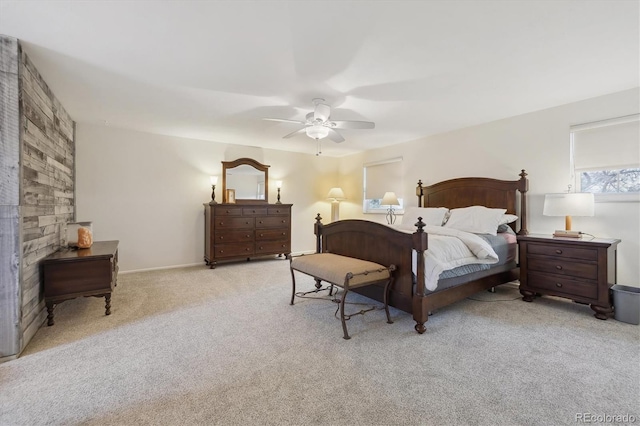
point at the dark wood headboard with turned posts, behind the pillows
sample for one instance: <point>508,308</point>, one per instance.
<point>477,191</point>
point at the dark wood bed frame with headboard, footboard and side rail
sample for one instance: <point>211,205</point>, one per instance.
<point>384,245</point>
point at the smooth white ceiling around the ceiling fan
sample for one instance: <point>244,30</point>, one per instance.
<point>213,69</point>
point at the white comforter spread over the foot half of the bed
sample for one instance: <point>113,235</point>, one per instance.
<point>450,248</point>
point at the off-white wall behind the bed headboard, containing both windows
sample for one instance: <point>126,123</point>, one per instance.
<point>537,142</point>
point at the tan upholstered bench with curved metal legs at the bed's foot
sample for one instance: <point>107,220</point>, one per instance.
<point>345,272</point>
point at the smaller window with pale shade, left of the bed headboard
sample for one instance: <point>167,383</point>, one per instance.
<point>380,177</point>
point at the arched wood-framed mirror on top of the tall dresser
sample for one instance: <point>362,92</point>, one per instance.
<point>248,179</point>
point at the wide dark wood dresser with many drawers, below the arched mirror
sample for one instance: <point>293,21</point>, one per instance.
<point>243,231</point>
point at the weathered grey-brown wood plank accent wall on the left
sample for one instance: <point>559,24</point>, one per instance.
<point>46,177</point>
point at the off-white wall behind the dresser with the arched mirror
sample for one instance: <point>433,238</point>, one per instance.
<point>147,191</point>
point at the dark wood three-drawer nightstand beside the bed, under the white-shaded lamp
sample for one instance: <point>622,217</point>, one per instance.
<point>579,269</point>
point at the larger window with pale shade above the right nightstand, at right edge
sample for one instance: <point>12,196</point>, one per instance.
<point>606,157</point>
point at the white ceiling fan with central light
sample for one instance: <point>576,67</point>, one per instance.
<point>317,124</point>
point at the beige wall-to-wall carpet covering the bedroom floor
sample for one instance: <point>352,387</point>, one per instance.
<point>200,346</point>
